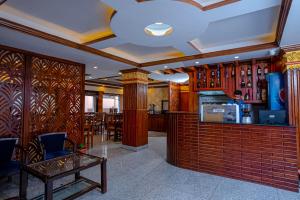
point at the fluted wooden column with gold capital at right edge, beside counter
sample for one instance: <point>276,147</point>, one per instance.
<point>292,69</point>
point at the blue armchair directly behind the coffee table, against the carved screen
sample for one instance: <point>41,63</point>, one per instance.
<point>54,144</point>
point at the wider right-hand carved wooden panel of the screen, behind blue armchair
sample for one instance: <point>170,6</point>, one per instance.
<point>56,98</point>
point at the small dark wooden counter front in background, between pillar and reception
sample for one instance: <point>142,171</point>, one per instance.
<point>157,122</point>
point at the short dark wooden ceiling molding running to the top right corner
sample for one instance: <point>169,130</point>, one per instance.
<point>284,12</point>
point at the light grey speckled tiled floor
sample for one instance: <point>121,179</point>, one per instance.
<point>146,175</point>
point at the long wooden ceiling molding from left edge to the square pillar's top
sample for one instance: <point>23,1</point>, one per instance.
<point>59,40</point>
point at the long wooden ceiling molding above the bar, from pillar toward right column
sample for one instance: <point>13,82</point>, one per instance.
<point>212,54</point>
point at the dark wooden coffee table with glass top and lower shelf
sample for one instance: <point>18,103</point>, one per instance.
<point>57,168</point>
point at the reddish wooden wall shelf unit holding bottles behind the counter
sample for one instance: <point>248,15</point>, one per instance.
<point>230,83</point>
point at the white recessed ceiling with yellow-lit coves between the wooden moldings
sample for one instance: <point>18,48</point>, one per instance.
<point>239,24</point>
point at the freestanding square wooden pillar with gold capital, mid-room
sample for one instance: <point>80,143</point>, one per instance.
<point>135,114</point>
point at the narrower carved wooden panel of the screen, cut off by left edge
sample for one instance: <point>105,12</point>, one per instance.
<point>12,72</point>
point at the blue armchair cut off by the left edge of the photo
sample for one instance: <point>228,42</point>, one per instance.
<point>8,167</point>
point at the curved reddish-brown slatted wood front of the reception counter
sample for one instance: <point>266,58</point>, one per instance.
<point>259,153</point>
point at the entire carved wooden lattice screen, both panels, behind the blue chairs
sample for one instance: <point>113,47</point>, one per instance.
<point>39,94</point>
